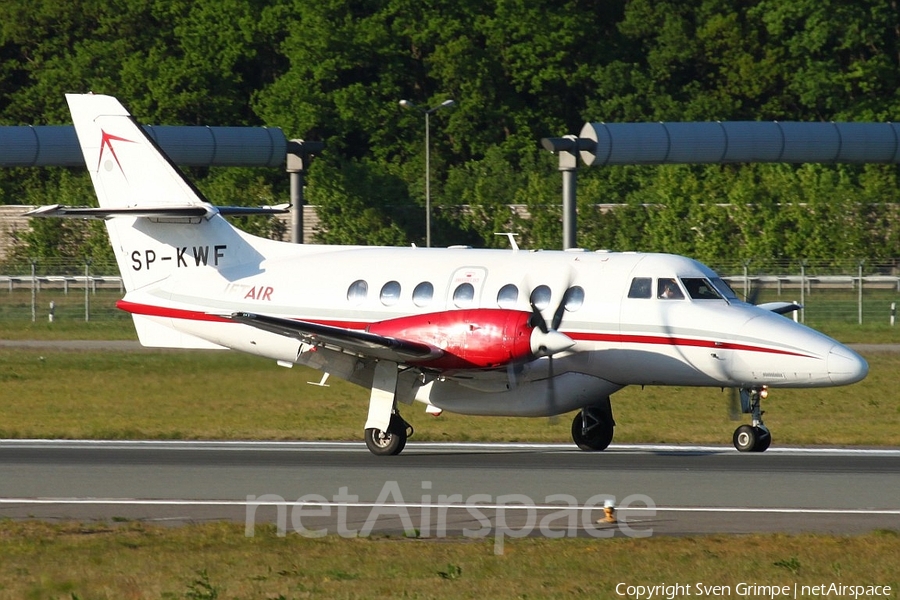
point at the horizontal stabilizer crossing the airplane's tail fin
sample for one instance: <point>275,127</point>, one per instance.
<point>162,210</point>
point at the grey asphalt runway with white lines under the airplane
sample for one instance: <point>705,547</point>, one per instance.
<point>472,490</point>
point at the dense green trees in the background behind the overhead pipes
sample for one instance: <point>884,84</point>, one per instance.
<point>518,70</point>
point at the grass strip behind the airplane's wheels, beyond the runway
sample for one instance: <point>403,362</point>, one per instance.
<point>227,395</point>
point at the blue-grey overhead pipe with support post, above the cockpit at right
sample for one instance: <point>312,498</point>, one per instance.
<point>606,144</point>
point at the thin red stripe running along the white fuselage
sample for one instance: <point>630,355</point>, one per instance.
<point>612,338</point>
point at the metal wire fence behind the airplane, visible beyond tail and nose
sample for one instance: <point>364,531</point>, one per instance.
<point>850,291</point>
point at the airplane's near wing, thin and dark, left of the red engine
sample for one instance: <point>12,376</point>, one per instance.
<point>352,340</point>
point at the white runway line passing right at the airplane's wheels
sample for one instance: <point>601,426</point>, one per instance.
<point>451,446</point>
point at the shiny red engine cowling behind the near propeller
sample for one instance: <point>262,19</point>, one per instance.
<point>481,338</point>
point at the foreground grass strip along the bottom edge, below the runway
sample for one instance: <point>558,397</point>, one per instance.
<point>137,561</point>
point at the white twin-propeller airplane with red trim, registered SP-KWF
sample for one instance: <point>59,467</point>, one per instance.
<point>476,332</point>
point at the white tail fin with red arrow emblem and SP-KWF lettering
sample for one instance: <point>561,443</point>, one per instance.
<point>158,222</point>
